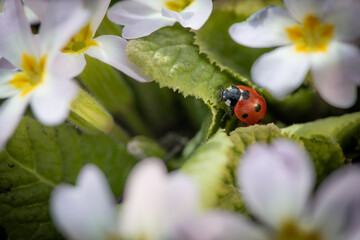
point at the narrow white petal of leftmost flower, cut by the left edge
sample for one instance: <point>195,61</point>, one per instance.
<point>11,112</point>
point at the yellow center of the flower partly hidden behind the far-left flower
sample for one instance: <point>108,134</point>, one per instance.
<point>81,41</point>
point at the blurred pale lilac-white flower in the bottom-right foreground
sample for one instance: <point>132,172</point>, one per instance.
<point>276,183</point>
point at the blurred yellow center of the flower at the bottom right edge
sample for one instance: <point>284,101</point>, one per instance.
<point>290,231</point>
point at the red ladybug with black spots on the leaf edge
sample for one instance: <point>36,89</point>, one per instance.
<point>248,105</point>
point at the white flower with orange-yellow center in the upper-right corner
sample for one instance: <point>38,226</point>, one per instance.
<point>313,34</point>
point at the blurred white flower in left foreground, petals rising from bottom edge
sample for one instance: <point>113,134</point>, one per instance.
<point>154,203</point>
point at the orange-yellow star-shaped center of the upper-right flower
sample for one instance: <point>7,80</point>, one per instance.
<point>312,36</point>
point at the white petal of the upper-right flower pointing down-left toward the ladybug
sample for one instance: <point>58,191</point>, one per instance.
<point>281,71</point>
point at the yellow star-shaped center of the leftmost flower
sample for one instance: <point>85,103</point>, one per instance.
<point>31,76</point>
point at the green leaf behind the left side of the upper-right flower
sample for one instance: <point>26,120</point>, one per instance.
<point>214,40</point>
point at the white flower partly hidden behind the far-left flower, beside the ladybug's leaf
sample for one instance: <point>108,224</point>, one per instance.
<point>106,48</point>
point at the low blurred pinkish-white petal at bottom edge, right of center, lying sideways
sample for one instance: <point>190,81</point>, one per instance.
<point>218,225</point>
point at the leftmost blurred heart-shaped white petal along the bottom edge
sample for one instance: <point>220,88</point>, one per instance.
<point>86,211</point>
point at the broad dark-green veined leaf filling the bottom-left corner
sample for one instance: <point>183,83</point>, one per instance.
<point>38,158</point>
